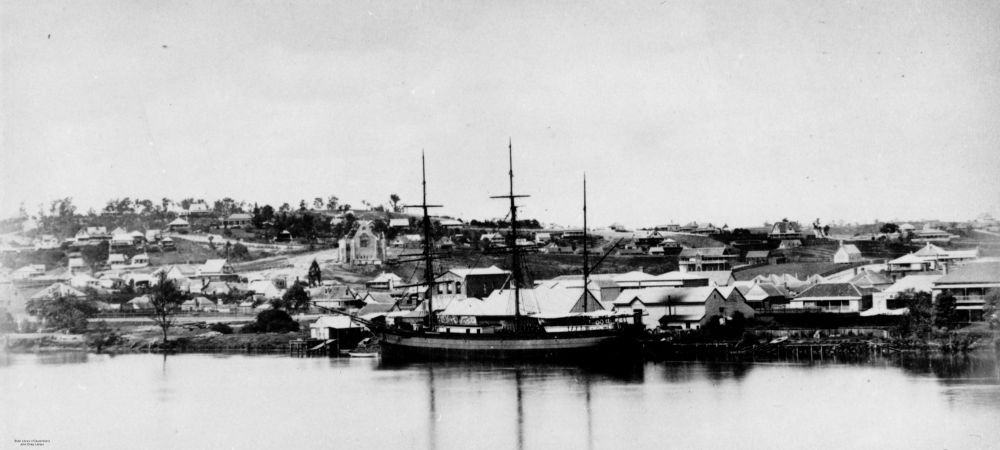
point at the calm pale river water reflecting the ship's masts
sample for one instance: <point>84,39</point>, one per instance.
<point>76,400</point>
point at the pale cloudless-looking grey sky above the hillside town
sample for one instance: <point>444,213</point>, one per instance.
<point>734,113</point>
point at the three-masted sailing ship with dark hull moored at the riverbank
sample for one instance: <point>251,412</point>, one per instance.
<point>515,322</point>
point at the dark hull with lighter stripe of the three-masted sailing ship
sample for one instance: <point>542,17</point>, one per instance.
<point>441,346</point>
